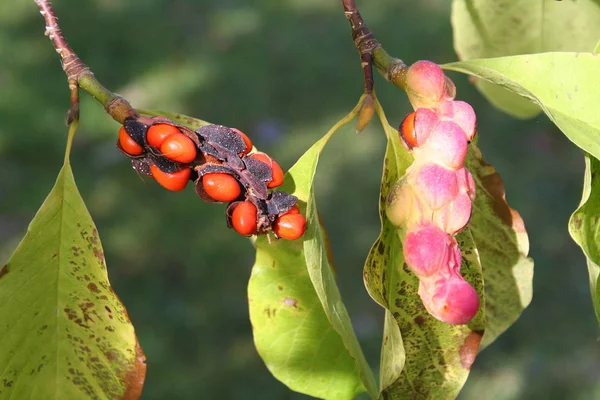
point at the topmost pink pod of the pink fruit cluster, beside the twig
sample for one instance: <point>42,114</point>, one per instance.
<point>425,84</point>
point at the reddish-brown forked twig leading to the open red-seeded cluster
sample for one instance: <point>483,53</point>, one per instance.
<point>79,75</point>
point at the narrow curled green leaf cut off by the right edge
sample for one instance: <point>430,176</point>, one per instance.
<point>584,227</point>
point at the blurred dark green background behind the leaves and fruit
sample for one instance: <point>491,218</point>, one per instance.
<point>283,71</point>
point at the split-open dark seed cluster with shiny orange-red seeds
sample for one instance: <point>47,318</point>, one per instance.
<point>221,163</point>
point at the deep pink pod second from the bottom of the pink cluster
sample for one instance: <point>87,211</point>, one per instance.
<point>426,250</point>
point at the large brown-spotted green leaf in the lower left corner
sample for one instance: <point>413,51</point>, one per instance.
<point>64,334</point>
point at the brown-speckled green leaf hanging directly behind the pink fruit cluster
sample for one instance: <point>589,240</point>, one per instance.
<point>421,356</point>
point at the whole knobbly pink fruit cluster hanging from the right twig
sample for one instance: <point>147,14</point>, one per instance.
<point>432,201</point>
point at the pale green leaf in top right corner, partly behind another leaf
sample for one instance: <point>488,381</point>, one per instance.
<point>498,28</point>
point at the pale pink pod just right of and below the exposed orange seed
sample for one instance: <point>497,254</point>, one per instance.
<point>446,145</point>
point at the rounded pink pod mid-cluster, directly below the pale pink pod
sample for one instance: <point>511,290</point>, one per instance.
<point>435,185</point>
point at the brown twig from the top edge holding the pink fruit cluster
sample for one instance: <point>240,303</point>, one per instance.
<point>372,52</point>
